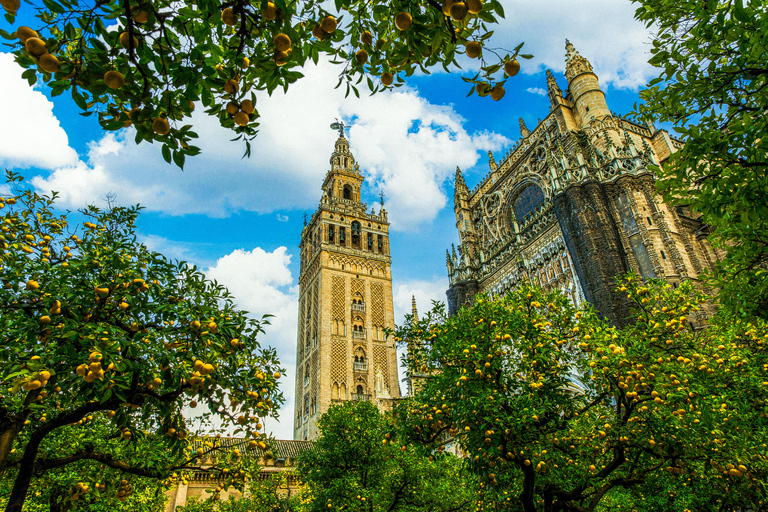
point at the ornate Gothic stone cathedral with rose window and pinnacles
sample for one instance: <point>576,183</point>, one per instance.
<point>573,205</point>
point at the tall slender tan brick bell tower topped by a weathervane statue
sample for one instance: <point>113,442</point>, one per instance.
<point>345,301</point>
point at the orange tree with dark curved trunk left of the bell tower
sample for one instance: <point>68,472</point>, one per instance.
<point>93,326</point>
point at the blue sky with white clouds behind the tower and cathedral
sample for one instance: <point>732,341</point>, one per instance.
<point>240,219</point>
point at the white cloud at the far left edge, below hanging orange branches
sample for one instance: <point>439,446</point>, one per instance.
<point>30,135</point>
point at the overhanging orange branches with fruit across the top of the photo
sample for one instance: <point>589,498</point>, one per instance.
<point>146,62</point>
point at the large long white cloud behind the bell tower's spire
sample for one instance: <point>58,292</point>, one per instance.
<point>400,158</point>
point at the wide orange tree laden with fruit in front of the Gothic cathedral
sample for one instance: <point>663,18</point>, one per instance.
<point>557,410</point>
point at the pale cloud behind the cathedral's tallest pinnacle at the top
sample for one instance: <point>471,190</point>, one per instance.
<point>603,31</point>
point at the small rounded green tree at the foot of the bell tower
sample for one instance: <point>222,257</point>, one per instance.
<point>361,464</point>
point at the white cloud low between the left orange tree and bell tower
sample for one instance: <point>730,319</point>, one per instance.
<point>261,283</point>
